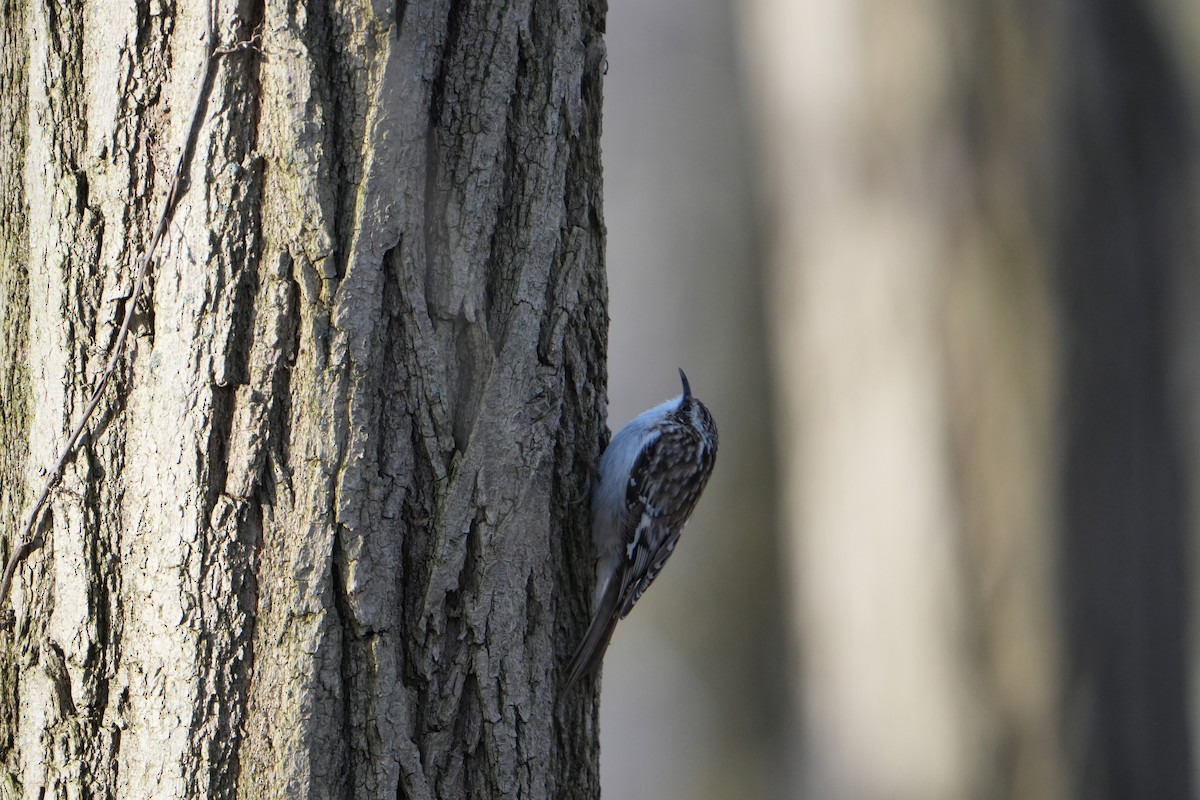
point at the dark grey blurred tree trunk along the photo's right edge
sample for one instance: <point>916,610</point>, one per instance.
<point>1126,246</point>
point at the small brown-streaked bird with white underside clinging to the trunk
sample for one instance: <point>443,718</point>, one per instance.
<point>651,478</point>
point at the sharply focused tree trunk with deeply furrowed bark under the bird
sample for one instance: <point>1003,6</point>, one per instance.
<point>316,542</point>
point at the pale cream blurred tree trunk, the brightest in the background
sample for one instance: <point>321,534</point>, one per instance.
<point>890,699</point>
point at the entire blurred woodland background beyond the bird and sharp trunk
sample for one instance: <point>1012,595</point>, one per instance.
<point>934,268</point>
